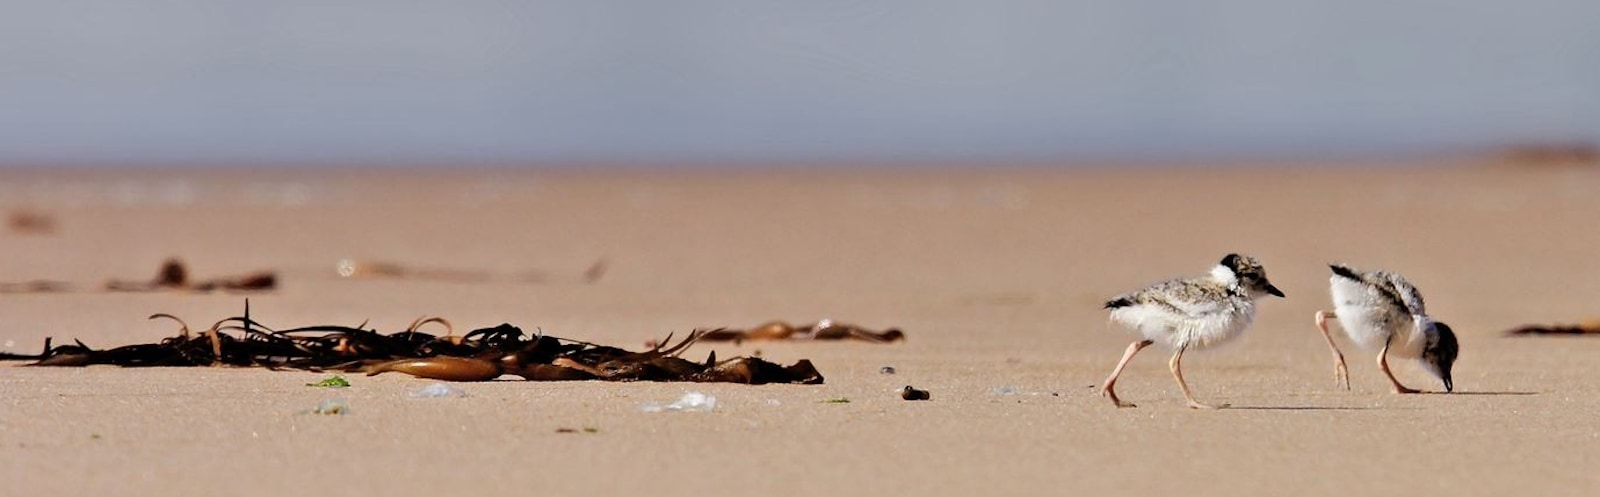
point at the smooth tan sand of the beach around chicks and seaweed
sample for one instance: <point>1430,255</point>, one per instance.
<point>996,277</point>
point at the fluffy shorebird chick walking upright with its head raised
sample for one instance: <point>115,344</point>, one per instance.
<point>1191,314</point>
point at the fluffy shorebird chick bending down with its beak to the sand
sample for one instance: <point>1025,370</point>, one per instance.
<point>1383,311</point>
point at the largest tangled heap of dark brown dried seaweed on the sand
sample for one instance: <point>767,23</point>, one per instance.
<point>479,356</point>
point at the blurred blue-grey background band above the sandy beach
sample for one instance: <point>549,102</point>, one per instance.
<point>234,82</point>
